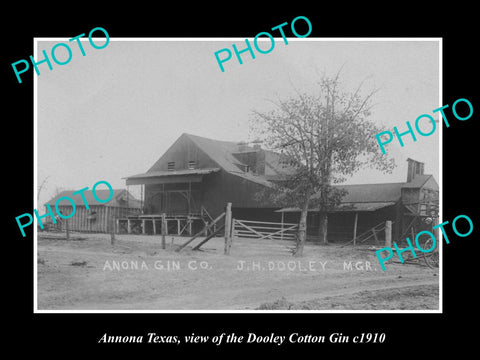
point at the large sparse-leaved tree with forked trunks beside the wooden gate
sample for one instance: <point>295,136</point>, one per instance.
<point>325,137</point>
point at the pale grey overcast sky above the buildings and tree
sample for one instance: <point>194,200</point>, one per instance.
<point>113,112</point>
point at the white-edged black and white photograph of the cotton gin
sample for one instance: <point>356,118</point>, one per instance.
<point>262,187</point>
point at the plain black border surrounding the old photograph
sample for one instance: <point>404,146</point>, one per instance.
<point>60,335</point>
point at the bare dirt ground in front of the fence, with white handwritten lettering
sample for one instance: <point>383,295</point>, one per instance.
<point>88,273</point>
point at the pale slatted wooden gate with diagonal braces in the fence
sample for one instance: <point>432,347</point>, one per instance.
<point>264,230</point>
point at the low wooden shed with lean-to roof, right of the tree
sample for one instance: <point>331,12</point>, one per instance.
<point>411,206</point>
